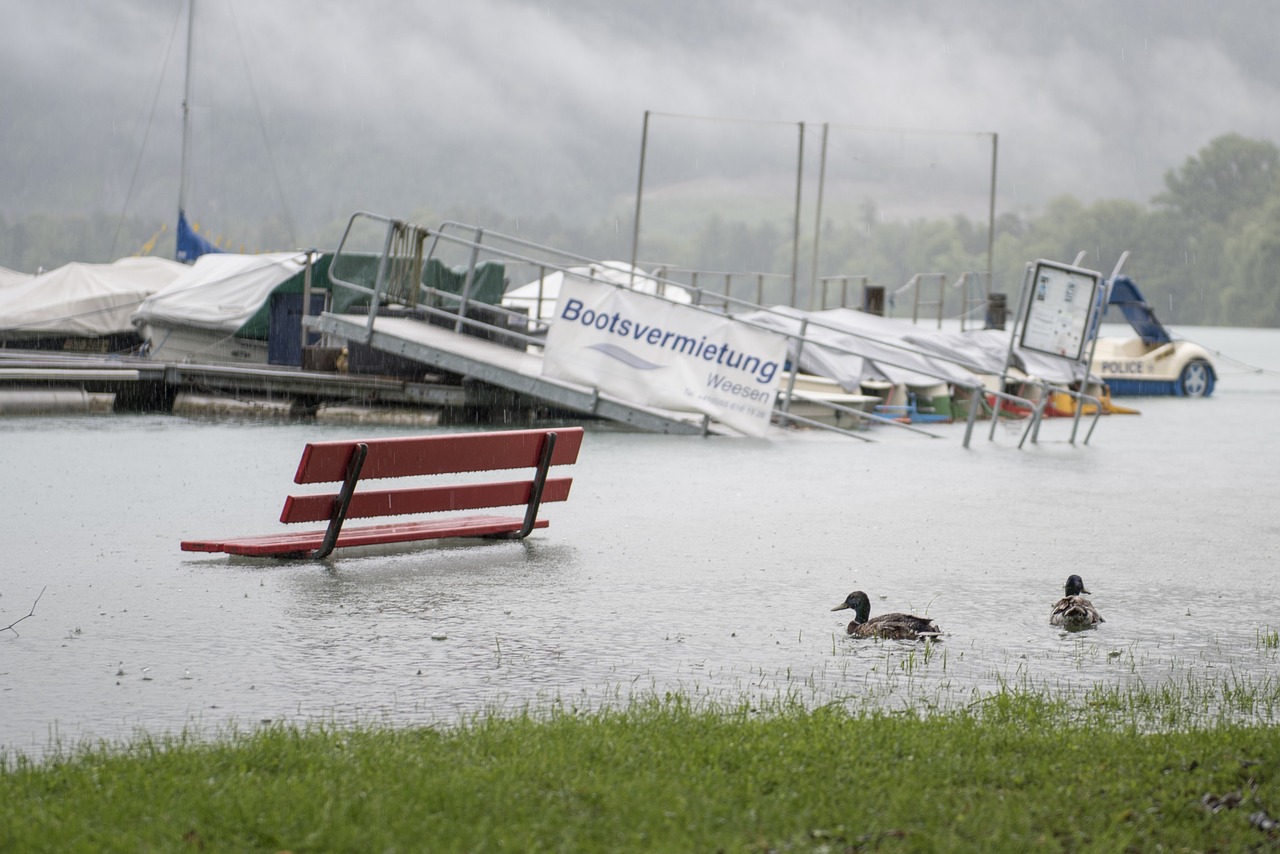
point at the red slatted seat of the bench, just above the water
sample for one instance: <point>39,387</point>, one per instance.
<point>305,542</point>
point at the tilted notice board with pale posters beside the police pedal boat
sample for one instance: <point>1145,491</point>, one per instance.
<point>1060,309</point>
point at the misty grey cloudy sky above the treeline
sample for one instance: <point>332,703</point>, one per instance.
<point>318,108</point>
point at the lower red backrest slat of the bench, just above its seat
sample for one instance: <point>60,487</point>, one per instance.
<point>426,500</point>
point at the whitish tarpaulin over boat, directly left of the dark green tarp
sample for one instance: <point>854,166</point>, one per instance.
<point>221,291</point>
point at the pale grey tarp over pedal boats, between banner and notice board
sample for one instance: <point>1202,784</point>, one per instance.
<point>852,348</point>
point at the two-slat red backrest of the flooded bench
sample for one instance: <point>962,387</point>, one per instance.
<point>432,455</point>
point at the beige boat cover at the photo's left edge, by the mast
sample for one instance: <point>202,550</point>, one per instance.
<point>84,300</point>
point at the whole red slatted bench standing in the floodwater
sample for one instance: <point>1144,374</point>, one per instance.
<point>356,462</point>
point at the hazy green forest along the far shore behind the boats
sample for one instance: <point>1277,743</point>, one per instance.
<point>1205,250</point>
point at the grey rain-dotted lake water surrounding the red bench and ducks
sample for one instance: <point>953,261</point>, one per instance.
<point>700,565</point>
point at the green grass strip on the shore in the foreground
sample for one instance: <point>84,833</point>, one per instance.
<point>1016,771</point>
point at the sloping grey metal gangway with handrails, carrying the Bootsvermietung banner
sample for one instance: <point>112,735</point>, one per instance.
<point>461,328</point>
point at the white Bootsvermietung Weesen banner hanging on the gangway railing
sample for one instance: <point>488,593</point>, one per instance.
<point>665,355</point>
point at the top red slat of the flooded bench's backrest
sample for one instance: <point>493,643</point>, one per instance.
<point>436,455</point>
